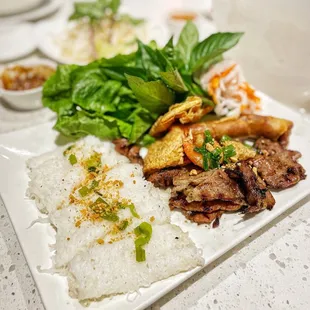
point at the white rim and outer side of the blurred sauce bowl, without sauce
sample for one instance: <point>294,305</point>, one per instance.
<point>25,99</point>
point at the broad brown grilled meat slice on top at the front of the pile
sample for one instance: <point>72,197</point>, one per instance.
<point>208,186</point>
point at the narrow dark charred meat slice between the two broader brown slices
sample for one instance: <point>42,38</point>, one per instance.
<point>257,195</point>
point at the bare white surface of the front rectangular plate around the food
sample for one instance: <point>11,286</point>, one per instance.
<point>17,147</point>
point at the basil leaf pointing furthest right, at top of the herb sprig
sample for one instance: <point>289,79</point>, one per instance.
<point>212,47</point>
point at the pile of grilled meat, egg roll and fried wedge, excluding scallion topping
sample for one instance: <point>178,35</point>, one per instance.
<point>241,185</point>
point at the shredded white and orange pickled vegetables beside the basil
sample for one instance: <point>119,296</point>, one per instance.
<point>231,93</point>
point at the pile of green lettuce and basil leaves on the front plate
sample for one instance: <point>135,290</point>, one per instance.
<point>124,95</point>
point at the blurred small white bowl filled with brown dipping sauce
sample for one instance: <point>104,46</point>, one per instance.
<point>21,83</point>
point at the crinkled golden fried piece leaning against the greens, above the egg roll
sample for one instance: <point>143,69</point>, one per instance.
<point>191,110</point>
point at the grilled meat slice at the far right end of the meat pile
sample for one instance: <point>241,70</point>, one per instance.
<point>280,170</point>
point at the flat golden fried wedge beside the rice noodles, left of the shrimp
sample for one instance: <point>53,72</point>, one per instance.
<point>167,152</point>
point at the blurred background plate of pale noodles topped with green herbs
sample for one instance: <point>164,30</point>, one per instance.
<point>95,30</point>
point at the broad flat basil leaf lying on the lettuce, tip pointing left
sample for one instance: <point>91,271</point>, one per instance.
<point>153,96</point>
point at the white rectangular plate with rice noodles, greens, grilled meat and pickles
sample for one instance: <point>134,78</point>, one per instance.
<point>160,161</point>
